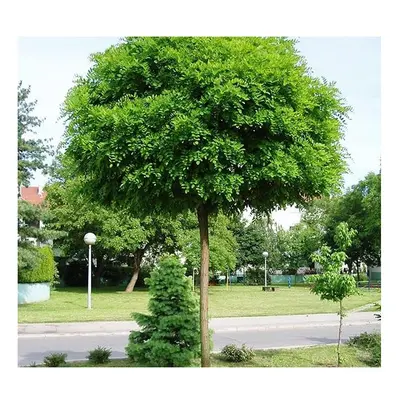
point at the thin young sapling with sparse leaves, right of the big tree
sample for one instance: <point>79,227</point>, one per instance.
<point>331,284</point>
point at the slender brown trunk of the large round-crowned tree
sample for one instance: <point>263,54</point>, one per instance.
<point>202,214</point>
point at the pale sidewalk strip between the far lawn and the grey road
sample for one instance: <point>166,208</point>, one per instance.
<point>217,324</point>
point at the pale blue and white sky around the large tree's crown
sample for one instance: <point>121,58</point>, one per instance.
<point>50,64</point>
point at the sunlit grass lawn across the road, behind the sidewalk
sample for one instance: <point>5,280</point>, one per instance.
<point>69,305</point>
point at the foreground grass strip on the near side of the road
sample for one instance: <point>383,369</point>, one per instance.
<point>318,356</point>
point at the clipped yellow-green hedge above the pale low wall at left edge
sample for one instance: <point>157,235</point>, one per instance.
<point>44,272</point>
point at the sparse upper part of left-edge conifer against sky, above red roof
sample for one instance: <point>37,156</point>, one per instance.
<point>31,152</point>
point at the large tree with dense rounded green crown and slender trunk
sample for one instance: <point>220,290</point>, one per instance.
<point>205,124</point>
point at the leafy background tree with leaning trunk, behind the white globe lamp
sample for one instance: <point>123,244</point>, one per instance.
<point>119,235</point>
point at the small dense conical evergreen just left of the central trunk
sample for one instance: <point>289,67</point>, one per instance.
<point>170,335</point>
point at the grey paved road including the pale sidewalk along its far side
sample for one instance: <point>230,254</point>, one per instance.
<point>259,333</point>
